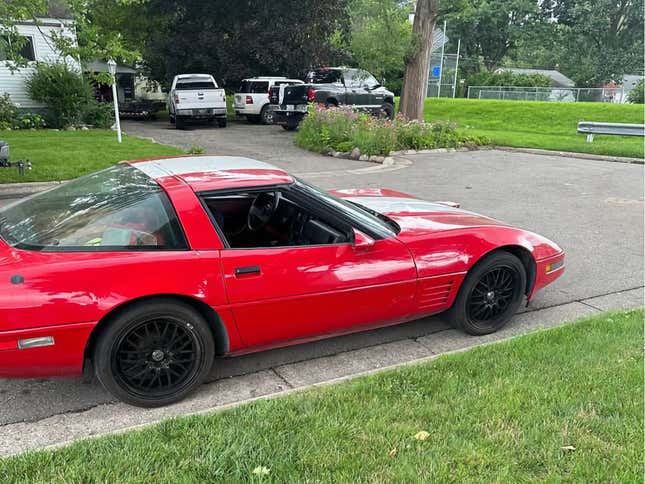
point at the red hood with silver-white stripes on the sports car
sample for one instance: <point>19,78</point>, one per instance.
<point>416,217</point>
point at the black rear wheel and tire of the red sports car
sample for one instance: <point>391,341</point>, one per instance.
<point>136,356</point>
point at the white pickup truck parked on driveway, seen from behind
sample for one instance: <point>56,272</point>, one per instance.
<point>196,97</point>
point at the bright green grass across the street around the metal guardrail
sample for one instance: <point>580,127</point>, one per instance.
<point>544,125</point>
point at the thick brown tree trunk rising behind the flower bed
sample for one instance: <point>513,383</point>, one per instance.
<point>415,83</point>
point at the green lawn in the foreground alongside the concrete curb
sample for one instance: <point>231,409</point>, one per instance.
<point>558,405</point>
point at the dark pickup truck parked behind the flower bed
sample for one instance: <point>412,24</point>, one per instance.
<point>331,86</point>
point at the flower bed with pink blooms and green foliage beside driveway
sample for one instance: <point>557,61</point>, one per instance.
<point>341,129</point>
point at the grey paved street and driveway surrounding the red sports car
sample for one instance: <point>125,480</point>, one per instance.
<point>593,209</point>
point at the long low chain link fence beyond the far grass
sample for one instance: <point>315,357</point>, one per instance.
<point>553,94</point>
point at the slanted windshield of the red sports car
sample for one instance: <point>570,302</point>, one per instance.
<point>376,223</point>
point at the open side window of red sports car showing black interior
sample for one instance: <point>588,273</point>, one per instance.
<point>271,219</point>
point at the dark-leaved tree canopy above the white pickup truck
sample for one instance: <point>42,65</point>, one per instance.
<point>234,40</point>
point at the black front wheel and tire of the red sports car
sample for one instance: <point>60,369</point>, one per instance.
<point>490,294</point>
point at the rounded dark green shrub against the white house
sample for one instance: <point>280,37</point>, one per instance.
<point>65,92</point>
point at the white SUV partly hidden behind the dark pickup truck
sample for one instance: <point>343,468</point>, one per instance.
<point>252,98</point>
